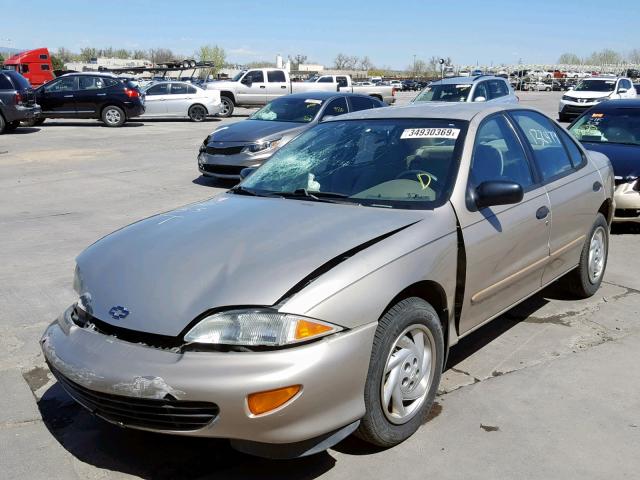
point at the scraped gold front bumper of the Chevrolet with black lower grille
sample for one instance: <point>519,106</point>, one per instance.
<point>142,387</point>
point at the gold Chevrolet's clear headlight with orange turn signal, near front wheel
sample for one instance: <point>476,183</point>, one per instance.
<point>257,327</point>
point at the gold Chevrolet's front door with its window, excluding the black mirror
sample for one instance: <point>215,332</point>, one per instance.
<point>507,246</point>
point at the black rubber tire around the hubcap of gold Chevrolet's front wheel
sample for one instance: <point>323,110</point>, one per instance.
<point>377,426</point>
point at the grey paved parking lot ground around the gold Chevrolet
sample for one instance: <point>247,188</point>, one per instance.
<point>548,390</point>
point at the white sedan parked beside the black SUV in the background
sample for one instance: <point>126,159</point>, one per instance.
<point>180,99</point>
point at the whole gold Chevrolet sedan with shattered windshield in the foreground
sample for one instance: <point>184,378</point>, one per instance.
<point>321,296</point>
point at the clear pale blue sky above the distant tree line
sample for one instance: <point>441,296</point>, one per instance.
<point>389,32</point>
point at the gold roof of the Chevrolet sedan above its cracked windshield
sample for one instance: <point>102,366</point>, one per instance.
<point>441,110</point>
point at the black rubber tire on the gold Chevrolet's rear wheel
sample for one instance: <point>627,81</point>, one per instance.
<point>580,281</point>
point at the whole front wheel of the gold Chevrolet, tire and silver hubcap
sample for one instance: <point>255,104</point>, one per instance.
<point>404,372</point>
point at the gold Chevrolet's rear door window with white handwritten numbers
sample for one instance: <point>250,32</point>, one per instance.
<point>549,153</point>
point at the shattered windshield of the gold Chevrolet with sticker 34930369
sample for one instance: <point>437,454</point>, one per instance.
<point>397,163</point>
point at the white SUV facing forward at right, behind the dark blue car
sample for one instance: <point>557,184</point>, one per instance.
<point>591,91</point>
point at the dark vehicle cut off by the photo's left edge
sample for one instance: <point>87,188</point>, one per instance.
<point>17,101</point>
